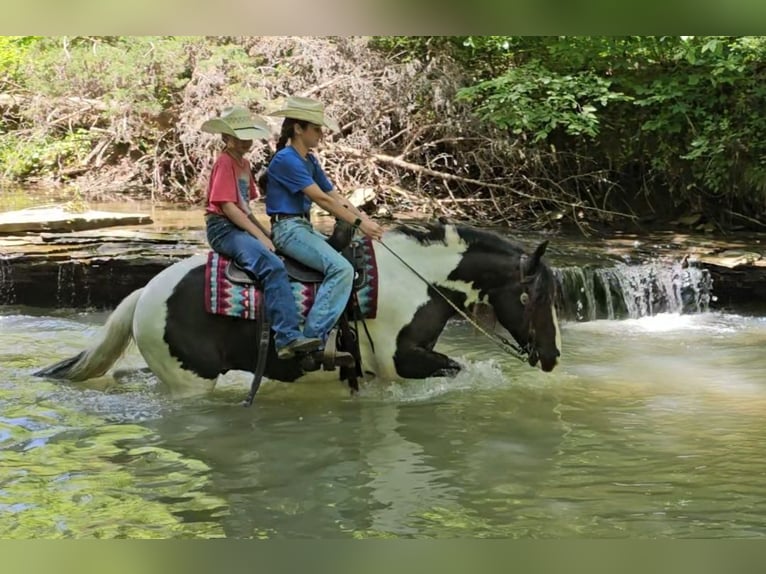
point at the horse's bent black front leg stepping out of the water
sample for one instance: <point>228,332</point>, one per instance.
<point>414,357</point>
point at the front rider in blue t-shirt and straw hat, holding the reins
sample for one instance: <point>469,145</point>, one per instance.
<point>295,180</point>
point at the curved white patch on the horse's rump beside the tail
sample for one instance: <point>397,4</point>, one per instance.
<point>149,330</point>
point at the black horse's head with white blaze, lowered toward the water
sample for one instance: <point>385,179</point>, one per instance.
<point>523,299</point>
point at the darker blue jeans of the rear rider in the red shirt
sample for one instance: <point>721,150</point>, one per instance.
<point>250,254</point>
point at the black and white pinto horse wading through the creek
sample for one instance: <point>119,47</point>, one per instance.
<point>426,275</point>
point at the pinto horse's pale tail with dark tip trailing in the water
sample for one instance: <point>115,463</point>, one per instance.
<point>110,345</point>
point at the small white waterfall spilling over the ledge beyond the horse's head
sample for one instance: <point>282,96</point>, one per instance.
<point>632,291</point>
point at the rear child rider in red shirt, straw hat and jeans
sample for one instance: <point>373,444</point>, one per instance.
<point>233,231</point>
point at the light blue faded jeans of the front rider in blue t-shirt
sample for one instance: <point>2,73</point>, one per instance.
<point>295,237</point>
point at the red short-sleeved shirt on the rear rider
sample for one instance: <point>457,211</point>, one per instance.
<point>230,181</point>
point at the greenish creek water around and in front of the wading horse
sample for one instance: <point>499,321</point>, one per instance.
<point>649,428</point>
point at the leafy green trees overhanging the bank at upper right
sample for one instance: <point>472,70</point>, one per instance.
<point>687,112</point>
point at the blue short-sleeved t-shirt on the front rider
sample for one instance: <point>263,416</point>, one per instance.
<point>289,174</point>
